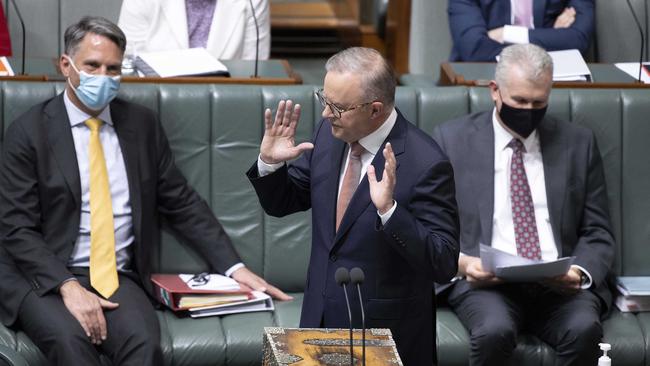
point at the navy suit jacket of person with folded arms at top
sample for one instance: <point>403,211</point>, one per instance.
<point>470,21</point>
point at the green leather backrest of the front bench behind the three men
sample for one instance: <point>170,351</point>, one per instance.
<point>215,131</point>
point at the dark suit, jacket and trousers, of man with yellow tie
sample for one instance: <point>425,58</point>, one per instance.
<point>40,203</point>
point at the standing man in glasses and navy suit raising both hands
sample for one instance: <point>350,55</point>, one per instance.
<point>398,222</point>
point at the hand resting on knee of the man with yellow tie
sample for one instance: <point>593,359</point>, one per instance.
<point>87,308</point>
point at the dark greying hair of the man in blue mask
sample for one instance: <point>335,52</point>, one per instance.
<point>75,33</point>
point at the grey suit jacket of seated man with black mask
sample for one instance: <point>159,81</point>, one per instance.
<point>575,189</point>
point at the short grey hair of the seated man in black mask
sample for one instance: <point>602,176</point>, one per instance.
<point>531,58</point>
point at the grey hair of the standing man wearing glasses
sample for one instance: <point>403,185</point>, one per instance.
<point>377,76</point>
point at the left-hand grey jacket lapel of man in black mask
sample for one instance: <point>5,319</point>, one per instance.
<point>482,142</point>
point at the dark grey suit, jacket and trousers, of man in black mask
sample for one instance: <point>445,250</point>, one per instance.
<point>578,210</point>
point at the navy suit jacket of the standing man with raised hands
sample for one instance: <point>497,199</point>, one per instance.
<point>401,259</point>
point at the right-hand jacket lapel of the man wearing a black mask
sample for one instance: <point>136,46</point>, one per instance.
<point>554,158</point>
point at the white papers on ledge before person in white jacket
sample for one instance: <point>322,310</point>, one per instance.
<point>188,62</point>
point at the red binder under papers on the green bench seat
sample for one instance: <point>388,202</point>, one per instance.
<point>170,289</point>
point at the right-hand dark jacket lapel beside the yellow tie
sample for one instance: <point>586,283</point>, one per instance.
<point>127,137</point>
